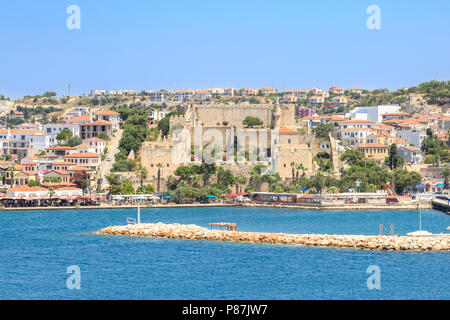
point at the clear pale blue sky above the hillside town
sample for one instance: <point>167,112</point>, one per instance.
<point>196,44</point>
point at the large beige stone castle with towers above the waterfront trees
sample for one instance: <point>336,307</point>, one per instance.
<point>279,134</point>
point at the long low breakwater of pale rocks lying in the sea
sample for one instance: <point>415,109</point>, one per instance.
<point>194,232</point>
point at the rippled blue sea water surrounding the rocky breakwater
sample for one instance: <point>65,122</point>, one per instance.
<point>37,246</point>
